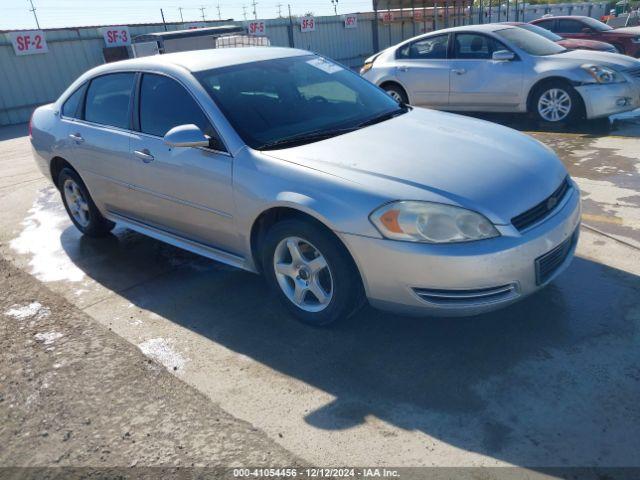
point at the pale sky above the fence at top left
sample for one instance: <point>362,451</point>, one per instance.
<point>15,14</point>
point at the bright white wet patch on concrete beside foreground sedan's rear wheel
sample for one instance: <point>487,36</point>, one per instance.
<point>41,238</point>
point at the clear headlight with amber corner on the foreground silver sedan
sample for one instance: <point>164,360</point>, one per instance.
<point>428,222</point>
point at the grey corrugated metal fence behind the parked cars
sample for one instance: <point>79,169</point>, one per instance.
<point>32,80</point>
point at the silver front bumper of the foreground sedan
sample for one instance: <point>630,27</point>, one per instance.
<point>465,278</point>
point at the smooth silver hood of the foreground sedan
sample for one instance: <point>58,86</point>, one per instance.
<point>440,157</point>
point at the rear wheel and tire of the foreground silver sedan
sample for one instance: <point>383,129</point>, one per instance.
<point>80,207</point>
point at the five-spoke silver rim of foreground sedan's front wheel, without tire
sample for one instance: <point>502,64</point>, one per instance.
<point>303,274</point>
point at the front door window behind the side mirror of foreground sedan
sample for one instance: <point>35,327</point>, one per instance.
<point>165,104</point>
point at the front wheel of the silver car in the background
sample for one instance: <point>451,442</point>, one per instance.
<point>556,102</point>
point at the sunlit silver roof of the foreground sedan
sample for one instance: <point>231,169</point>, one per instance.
<point>198,60</point>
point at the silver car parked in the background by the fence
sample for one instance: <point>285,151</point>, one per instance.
<point>501,68</point>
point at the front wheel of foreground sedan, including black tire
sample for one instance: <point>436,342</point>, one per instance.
<point>311,272</point>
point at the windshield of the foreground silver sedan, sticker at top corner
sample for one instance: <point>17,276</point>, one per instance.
<point>295,100</point>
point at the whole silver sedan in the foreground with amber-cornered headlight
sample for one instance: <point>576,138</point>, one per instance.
<point>282,162</point>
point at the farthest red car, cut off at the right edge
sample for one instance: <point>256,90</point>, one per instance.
<point>626,40</point>
